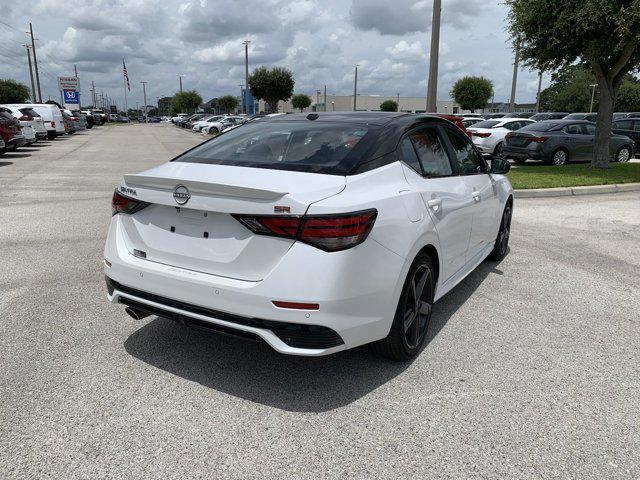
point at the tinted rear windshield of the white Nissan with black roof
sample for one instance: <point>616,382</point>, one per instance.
<point>304,146</point>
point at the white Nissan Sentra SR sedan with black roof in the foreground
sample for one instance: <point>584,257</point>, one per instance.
<point>311,232</point>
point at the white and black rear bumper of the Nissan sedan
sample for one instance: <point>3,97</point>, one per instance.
<point>355,289</point>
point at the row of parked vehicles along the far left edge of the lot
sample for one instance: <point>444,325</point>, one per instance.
<point>26,123</point>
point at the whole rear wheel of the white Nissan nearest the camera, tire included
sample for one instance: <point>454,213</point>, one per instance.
<point>413,313</point>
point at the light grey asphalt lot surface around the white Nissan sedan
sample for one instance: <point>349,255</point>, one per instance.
<point>531,370</point>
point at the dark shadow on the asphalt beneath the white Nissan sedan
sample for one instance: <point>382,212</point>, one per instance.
<point>254,372</point>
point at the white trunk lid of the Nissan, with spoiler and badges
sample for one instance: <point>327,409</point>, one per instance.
<point>201,234</point>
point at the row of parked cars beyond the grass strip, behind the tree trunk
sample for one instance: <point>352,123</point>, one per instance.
<point>552,137</point>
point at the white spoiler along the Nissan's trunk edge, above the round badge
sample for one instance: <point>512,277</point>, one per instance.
<point>201,188</point>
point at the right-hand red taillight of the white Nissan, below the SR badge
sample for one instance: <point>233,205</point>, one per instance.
<point>330,233</point>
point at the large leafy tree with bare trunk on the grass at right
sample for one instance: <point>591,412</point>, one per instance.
<point>603,34</point>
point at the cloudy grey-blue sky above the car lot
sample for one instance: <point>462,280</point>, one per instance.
<point>319,40</point>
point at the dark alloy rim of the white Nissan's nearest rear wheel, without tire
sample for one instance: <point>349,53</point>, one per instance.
<point>417,307</point>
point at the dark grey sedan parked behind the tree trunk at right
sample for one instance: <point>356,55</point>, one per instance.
<point>560,141</point>
